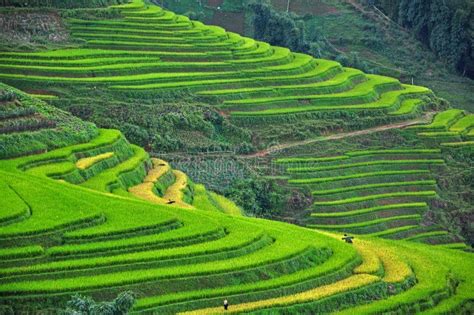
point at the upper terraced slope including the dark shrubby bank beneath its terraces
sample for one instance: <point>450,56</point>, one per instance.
<point>149,58</point>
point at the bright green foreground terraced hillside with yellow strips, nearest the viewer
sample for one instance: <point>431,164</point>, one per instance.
<point>71,222</point>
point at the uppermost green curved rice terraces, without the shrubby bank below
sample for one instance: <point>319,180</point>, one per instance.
<point>151,51</point>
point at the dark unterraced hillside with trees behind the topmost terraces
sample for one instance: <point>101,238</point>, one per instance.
<point>359,35</point>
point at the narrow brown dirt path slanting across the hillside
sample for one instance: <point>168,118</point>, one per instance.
<point>425,119</point>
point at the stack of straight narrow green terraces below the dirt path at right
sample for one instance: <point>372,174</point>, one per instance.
<point>378,192</point>
